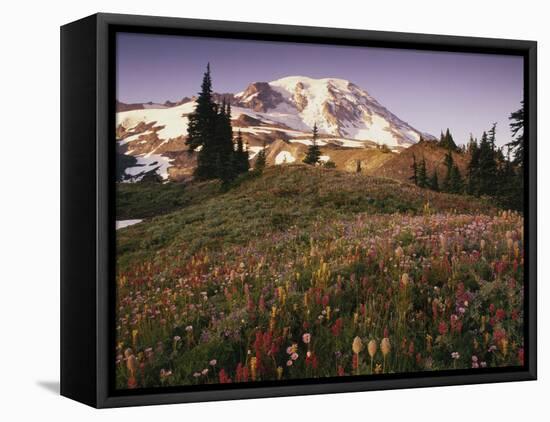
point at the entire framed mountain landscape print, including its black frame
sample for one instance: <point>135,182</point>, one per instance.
<point>254,210</point>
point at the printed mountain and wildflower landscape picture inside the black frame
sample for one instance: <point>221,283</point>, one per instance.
<point>298,228</point>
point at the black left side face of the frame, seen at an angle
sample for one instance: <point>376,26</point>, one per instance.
<point>78,242</point>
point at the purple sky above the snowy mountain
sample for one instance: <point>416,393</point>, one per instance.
<point>429,90</point>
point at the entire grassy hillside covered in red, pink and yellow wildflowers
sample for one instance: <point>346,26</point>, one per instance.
<point>292,274</point>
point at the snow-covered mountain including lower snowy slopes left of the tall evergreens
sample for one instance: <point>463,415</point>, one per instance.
<point>279,114</point>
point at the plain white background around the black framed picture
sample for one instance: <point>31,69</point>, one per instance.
<point>29,188</point>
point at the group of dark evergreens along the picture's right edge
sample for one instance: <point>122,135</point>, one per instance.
<point>497,172</point>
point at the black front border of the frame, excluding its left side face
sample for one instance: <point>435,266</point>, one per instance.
<point>104,21</point>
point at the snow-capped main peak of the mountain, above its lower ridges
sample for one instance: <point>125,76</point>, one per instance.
<point>339,107</point>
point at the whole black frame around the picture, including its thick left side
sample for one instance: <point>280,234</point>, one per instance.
<point>87,198</point>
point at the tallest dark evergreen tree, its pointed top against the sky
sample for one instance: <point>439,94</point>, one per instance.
<point>201,131</point>
